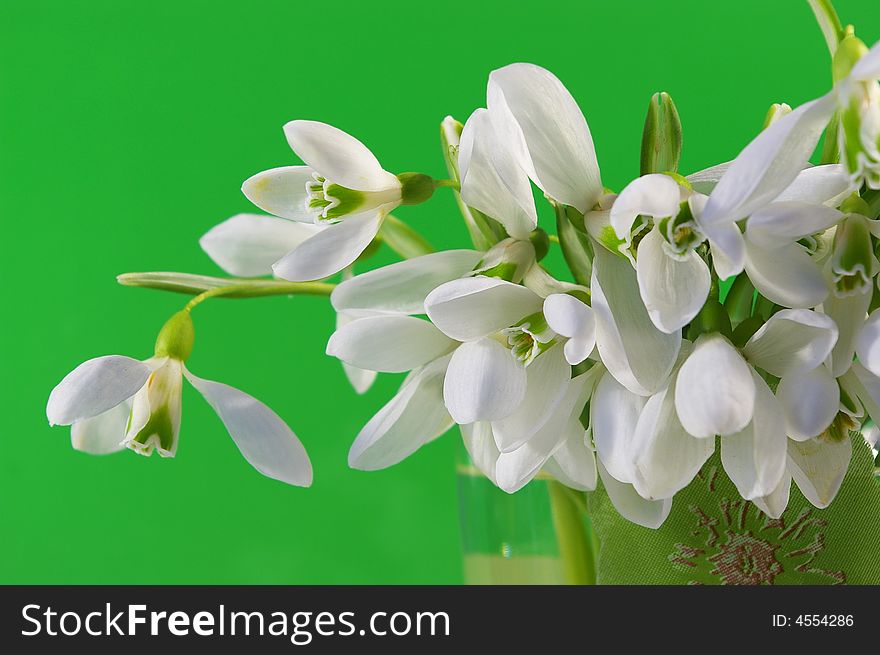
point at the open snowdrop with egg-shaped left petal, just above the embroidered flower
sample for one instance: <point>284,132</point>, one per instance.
<point>740,407</point>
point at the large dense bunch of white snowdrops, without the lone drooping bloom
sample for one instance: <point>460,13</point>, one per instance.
<point>733,305</point>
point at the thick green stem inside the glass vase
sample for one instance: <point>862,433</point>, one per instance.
<point>575,548</point>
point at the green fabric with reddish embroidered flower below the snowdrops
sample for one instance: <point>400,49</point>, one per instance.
<point>712,536</point>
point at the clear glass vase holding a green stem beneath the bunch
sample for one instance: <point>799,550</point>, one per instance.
<point>538,535</point>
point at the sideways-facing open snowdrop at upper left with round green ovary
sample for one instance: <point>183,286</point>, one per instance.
<point>342,186</point>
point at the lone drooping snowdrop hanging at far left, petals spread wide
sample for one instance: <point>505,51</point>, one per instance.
<point>114,402</point>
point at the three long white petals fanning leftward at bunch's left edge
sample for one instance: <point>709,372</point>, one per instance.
<point>386,336</point>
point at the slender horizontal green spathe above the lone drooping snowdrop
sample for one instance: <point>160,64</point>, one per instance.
<point>205,286</point>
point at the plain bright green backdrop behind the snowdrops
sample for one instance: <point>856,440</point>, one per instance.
<point>126,130</point>
